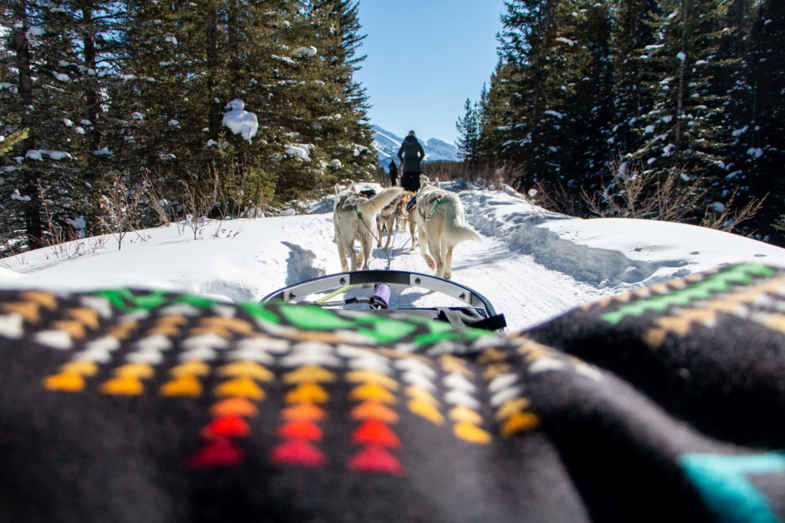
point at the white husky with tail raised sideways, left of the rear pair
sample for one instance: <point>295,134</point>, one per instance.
<point>354,217</point>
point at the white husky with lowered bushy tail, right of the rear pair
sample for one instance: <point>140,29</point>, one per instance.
<point>439,214</point>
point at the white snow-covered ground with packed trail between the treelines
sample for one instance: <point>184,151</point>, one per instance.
<point>532,264</point>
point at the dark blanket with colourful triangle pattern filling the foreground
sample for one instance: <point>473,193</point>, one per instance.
<point>660,405</point>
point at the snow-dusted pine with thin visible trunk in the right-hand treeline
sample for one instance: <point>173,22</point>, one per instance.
<point>683,128</point>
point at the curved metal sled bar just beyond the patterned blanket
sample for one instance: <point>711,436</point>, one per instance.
<point>409,279</point>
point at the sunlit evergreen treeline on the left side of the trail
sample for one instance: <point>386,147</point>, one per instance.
<point>111,107</point>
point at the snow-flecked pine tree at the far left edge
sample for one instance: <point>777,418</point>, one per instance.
<point>46,176</point>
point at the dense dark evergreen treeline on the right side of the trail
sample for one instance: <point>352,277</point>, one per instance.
<point>591,96</point>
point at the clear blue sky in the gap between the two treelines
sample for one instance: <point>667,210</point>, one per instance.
<point>425,57</point>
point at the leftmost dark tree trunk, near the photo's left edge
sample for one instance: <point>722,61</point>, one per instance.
<point>32,189</point>
